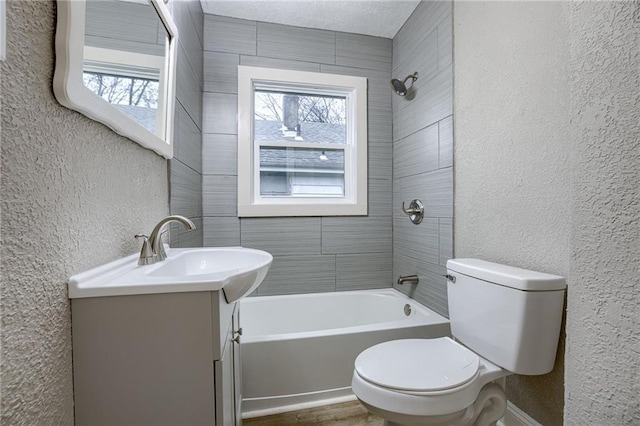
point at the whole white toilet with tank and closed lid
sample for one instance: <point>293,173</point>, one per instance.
<point>508,320</point>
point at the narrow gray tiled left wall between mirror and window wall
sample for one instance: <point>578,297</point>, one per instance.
<point>185,168</point>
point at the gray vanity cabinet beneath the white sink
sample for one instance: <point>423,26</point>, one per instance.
<point>156,359</point>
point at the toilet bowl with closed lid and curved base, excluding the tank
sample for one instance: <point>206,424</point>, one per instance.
<point>428,382</point>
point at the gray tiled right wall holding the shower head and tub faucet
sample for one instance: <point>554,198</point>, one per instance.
<point>423,153</point>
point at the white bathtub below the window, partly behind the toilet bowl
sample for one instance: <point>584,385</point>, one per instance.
<point>298,351</point>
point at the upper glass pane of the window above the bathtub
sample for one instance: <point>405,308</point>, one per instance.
<point>281,116</point>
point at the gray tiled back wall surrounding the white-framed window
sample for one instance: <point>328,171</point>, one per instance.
<point>310,254</point>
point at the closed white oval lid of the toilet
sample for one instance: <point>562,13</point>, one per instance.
<point>419,365</point>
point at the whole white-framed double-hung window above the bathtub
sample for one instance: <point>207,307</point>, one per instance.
<point>302,143</point>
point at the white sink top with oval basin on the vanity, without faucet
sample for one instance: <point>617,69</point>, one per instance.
<point>237,271</point>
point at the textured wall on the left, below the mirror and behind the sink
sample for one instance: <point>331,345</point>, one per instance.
<point>73,195</point>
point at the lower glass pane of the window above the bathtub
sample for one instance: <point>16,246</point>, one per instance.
<point>290,172</point>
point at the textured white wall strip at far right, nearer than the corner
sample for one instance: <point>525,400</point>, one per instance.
<point>603,317</point>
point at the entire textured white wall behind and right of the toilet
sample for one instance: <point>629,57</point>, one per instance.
<point>546,177</point>
